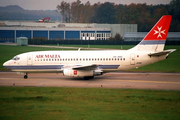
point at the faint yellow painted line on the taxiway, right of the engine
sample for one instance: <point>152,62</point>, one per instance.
<point>144,81</point>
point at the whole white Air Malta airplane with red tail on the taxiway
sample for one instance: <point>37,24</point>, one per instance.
<point>88,64</point>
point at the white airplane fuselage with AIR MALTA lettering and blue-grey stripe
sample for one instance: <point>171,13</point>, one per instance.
<point>54,61</point>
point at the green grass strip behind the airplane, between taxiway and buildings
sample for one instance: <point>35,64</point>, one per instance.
<point>172,64</point>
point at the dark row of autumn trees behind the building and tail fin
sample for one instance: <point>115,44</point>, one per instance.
<point>142,14</point>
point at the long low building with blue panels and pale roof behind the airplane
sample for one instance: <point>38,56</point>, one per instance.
<point>11,30</point>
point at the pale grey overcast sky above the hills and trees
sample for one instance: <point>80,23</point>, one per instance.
<point>51,4</point>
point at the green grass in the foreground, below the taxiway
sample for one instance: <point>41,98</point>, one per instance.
<point>88,103</point>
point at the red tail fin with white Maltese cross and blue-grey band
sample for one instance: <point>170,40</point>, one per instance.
<point>155,40</point>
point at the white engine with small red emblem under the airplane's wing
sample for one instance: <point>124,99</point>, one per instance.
<point>81,73</point>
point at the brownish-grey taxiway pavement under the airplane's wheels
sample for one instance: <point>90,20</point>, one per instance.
<point>155,81</point>
